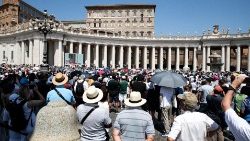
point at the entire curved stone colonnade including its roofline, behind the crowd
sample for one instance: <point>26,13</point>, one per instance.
<point>25,46</point>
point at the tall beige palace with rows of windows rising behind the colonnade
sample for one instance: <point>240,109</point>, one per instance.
<point>123,20</point>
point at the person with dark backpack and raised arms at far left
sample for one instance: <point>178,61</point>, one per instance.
<point>19,111</point>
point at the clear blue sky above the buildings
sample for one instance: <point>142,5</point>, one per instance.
<point>172,16</point>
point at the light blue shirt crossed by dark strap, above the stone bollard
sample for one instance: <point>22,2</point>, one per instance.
<point>66,93</point>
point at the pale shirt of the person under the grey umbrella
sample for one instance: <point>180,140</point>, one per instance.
<point>167,94</point>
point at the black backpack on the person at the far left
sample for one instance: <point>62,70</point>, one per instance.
<point>18,121</point>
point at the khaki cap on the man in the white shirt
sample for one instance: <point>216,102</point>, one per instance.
<point>190,99</point>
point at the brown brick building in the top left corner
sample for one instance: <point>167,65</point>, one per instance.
<point>14,12</point>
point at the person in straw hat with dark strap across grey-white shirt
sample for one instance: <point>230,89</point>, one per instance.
<point>93,128</point>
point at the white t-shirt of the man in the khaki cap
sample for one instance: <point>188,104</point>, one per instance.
<point>192,126</point>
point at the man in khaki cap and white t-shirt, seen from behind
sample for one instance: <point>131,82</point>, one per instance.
<point>191,125</point>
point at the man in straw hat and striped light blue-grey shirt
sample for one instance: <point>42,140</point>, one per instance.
<point>134,123</point>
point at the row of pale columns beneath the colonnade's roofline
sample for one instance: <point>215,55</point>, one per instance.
<point>30,51</point>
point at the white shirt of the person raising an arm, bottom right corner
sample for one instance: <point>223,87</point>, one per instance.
<point>237,125</point>
